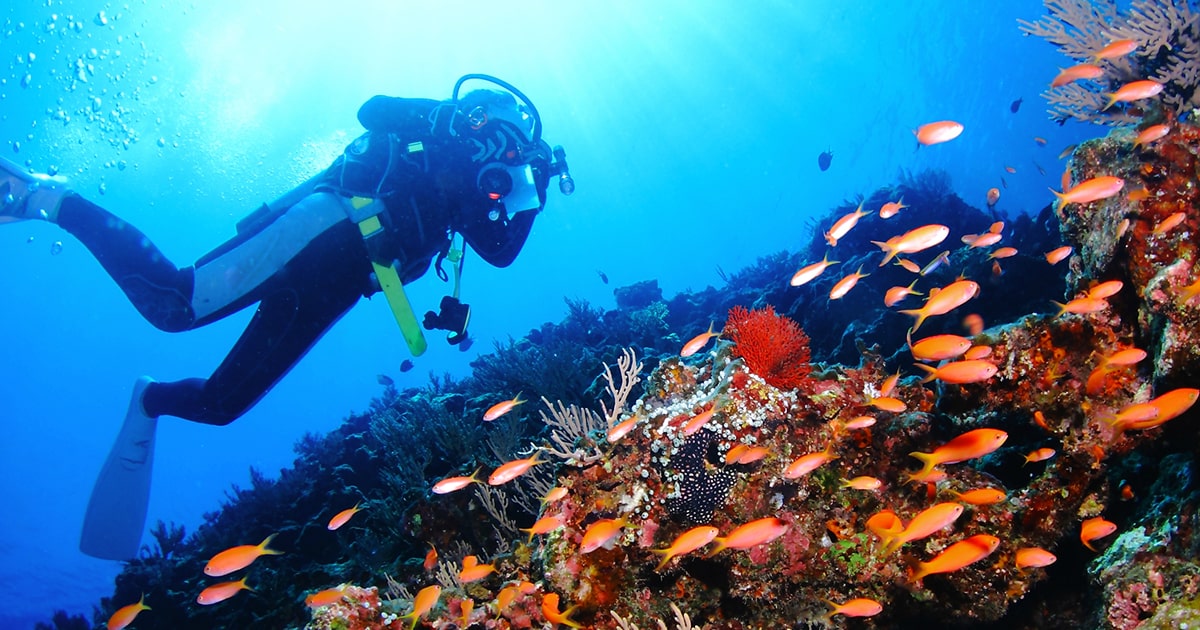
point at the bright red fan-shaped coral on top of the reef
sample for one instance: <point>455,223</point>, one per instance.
<point>773,346</point>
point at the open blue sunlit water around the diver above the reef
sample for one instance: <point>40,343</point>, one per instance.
<point>693,135</point>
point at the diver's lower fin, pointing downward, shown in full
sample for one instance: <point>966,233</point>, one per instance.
<point>117,512</point>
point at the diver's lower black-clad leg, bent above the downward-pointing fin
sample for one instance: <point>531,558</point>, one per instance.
<point>317,289</point>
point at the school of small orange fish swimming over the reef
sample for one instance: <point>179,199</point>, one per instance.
<point>950,359</point>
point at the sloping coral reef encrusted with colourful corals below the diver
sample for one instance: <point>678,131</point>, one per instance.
<point>757,483</point>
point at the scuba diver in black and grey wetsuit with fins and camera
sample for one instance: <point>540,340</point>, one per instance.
<point>395,203</point>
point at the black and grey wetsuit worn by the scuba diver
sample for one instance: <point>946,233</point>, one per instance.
<point>316,269</point>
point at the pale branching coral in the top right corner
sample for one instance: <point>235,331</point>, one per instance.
<point>1168,35</point>
